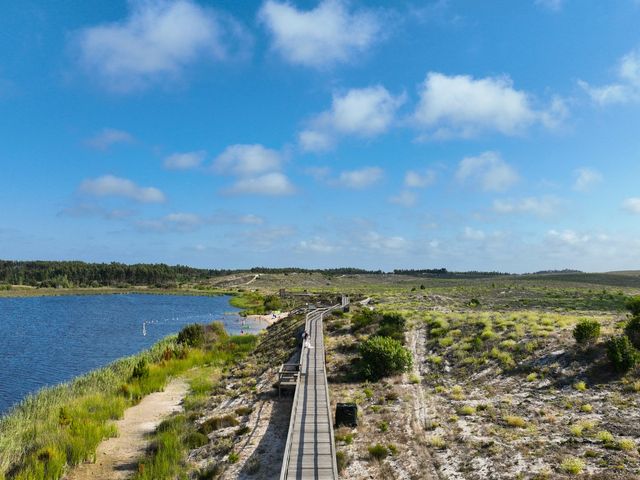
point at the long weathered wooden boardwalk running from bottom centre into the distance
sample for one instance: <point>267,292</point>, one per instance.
<point>310,453</point>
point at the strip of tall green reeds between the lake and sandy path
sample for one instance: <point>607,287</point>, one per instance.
<point>62,426</point>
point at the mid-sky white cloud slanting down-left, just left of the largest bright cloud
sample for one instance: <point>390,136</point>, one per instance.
<point>364,112</point>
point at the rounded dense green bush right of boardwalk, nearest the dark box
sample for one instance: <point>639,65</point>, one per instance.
<point>383,356</point>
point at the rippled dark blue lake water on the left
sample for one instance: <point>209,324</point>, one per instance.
<point>48,340</point>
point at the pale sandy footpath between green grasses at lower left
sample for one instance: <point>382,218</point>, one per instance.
<point>116,458</point>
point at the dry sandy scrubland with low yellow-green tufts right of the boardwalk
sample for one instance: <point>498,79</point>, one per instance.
<point>498,390</point>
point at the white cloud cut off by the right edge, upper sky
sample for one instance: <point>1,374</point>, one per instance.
<point>626,90</point>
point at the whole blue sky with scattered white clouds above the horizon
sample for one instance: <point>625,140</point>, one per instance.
<point>471,135</point>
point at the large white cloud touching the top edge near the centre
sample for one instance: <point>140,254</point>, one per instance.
<point>318,38</point>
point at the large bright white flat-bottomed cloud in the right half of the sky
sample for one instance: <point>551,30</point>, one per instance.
<point>461,106</point>
